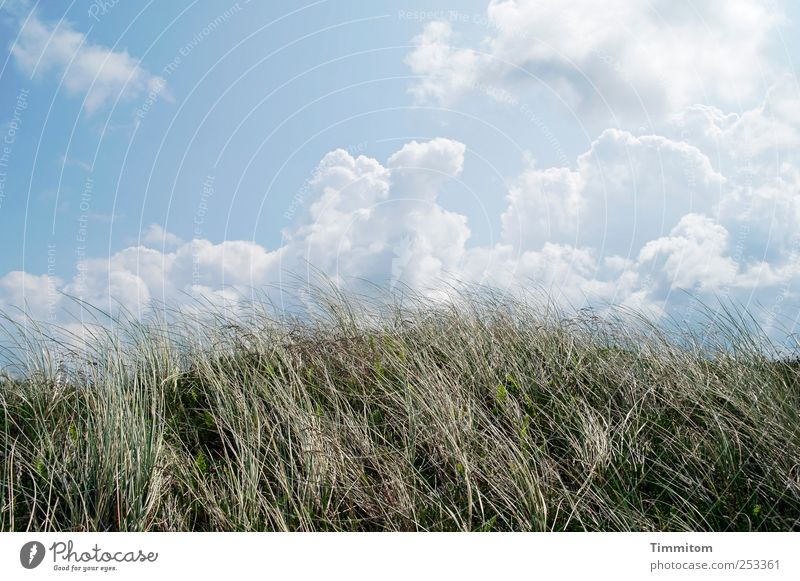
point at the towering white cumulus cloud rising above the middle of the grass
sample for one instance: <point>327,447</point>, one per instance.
<point>367,215</point>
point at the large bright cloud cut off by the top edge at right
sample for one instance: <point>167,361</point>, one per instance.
<point>624,57</point>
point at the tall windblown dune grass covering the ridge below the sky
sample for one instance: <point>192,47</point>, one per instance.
<point>483,413</point>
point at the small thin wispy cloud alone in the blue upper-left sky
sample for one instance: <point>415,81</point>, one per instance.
<point>97,73</point>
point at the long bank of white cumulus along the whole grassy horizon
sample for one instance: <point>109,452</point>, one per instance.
<point>634,219</point>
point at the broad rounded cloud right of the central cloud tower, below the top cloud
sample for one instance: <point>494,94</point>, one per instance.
<point>624,191</point>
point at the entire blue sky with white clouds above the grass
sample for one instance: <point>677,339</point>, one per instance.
<point>641,153</point>
